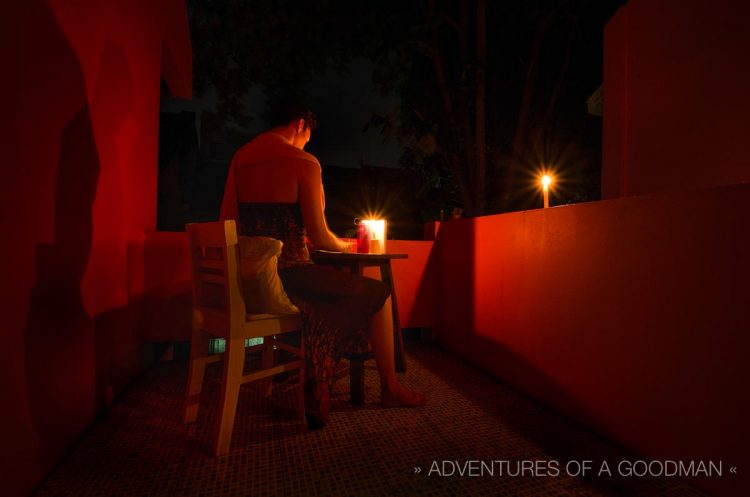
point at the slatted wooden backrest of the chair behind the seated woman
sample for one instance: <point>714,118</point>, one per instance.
<point>218,305</point>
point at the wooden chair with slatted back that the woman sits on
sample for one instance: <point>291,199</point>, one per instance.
<point>219,311</point>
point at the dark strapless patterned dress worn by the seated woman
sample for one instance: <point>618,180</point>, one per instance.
<point>336,307</point>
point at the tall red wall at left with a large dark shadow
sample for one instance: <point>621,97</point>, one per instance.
<point>80,102</point>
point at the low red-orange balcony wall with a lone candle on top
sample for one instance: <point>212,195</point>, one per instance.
<point>629,315</point>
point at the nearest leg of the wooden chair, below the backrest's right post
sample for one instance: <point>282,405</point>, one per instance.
<point>234,361</point>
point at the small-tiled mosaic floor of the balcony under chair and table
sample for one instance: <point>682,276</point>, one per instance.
<point>141,447</point>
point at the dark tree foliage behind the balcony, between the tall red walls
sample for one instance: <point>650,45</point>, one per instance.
<point>489,91</point>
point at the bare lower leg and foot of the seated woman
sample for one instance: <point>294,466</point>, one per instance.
<point>392,393</point>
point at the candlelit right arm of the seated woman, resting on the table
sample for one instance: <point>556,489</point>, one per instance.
<point>312,201</point>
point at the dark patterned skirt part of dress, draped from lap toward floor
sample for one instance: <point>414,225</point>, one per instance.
<point>336,308</point>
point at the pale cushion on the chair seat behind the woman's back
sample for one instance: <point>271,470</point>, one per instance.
<point>261,285</point>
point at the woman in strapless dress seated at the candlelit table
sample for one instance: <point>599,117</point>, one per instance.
<point>274,188</point>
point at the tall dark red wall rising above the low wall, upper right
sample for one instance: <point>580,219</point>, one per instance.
<point>676,96</point>
